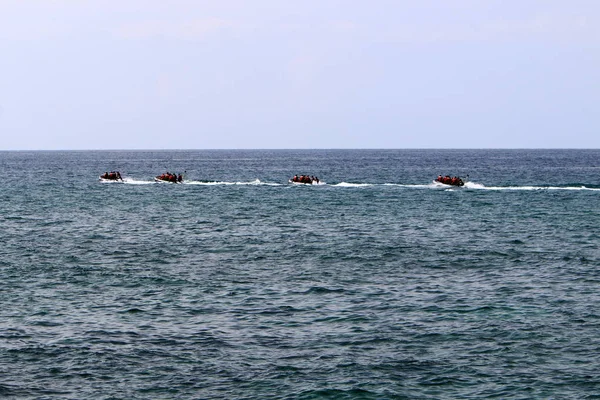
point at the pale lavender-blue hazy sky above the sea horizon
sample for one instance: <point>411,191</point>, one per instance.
<point>278,74</point>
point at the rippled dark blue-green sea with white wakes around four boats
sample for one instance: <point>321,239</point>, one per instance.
<point>377,283</point>
